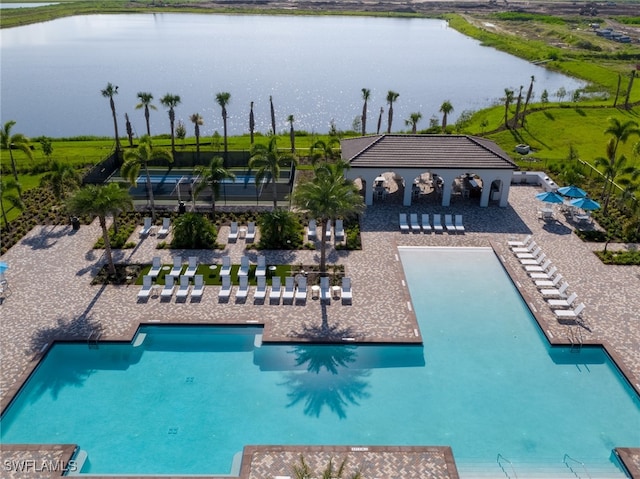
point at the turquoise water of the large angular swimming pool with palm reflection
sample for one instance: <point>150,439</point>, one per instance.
<point>186,400</point>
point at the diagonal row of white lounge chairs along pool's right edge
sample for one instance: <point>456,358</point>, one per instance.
<point>547,279</point>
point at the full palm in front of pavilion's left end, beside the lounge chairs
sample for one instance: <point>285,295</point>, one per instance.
<point>328,196</point>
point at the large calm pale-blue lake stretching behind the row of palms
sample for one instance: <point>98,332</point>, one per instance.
<point>314,67</point>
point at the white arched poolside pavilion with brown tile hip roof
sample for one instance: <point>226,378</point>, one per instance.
<point>444,156</point>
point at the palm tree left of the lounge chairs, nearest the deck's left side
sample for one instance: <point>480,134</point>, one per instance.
<point>101,201</point>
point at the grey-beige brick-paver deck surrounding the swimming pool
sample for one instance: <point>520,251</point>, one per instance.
<point>52,299</point>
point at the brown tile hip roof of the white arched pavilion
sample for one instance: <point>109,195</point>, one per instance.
<point>425,151</point>
